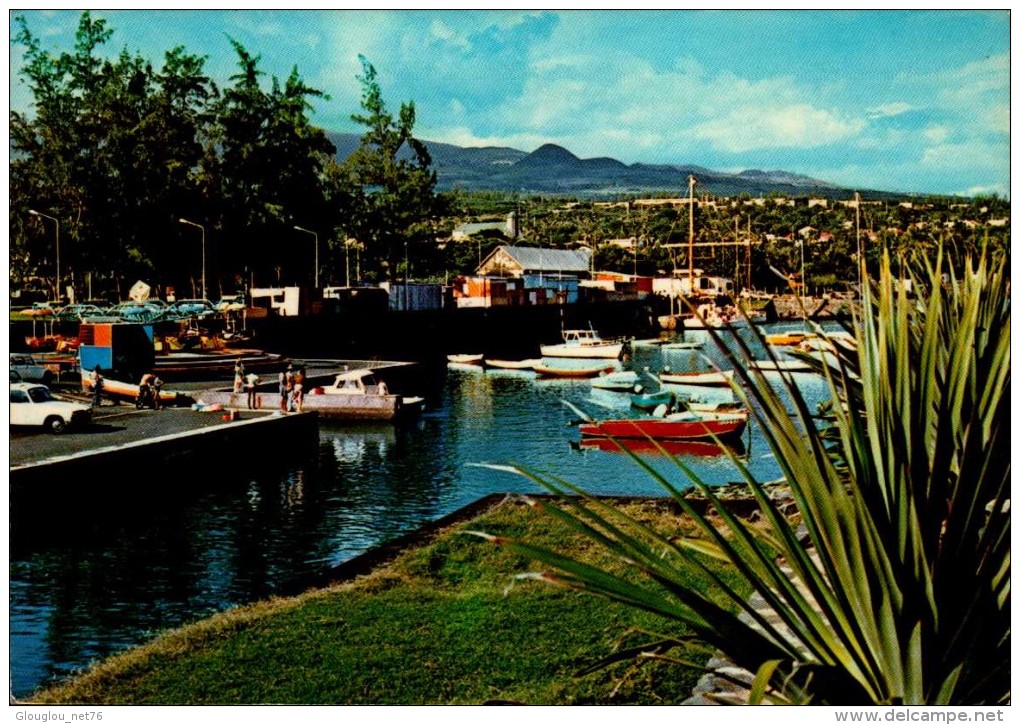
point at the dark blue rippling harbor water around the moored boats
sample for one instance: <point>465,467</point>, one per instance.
<point>121,563</point>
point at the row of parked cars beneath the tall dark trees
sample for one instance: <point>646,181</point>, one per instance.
<point>155,310</point>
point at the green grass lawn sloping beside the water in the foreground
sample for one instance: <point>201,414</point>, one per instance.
<point>445,624</point>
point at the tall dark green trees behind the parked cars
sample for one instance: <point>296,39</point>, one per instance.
<point>120,151</point>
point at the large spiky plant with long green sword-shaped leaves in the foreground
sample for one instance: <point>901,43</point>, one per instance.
<point>891,585</point>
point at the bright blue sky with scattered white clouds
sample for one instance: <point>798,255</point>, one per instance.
<point>914,101</point>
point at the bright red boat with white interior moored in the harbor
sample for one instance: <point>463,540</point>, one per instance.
<point>679,427</point>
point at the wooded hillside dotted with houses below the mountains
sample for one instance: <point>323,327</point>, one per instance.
<point>778,233</point>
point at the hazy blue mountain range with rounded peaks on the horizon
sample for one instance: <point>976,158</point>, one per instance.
<point>553,170</point>
